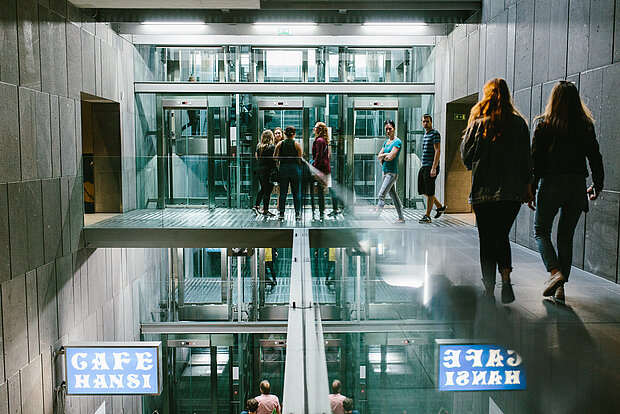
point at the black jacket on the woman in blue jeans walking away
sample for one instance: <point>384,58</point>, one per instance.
<point>564,153</point>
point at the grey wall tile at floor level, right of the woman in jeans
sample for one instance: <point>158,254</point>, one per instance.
<point>601,244</point>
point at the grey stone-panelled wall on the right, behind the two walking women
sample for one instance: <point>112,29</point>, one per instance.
<point>533,44</point>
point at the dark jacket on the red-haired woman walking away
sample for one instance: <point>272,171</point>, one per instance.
<point>501,167</point>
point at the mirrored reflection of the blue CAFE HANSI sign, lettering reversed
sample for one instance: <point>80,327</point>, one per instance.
<point>480,367</point>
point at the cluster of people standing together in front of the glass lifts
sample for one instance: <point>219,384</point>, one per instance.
<point>280,161</point>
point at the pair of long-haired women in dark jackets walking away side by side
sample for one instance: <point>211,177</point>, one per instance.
<point>550,177</point>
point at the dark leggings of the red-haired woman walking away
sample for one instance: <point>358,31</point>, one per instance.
<point>494,221</point>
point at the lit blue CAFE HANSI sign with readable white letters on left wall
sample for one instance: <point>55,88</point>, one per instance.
<point>114,368</point>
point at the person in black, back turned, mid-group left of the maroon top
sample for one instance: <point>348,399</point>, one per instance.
<point>288,153</point>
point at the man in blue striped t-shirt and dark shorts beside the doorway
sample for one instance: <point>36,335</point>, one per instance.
<point>430,169</point>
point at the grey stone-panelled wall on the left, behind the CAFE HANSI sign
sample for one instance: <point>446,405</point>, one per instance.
<point>52,291</point>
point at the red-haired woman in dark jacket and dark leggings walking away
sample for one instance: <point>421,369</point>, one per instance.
<point>496,148</point>
